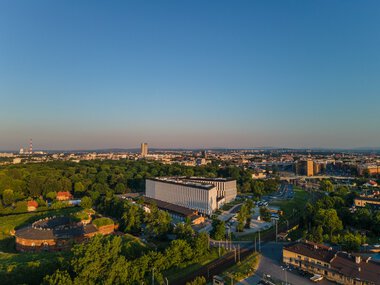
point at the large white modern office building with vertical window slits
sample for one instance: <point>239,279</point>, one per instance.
<point>192,192</point>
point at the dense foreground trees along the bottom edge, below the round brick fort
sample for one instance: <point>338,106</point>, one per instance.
<point>109,260</point>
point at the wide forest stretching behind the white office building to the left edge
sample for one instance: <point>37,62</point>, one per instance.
<point>98,178</point>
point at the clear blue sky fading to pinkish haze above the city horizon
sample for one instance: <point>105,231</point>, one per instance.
<point>96,74</point>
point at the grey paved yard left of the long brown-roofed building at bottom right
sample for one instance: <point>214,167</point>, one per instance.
<point>270,264</point>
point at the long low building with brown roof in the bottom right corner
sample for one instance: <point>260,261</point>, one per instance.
<point>337,266</point>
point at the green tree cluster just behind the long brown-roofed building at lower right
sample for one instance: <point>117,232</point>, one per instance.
<point>331,219</point>
